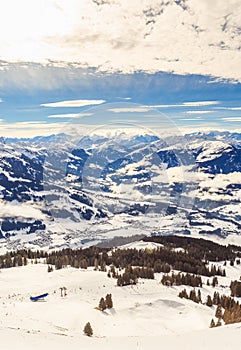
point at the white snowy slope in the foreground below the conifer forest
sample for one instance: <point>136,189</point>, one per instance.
<point>146,316</point>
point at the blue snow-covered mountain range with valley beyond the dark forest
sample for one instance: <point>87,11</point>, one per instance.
<point>57,191</point>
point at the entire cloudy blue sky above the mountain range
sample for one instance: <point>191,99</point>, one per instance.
<point>149,63</point>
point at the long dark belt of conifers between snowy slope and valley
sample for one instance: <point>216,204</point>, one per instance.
<point>191,260</point>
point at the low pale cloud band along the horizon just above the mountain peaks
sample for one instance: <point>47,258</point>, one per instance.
<point>31,129</point>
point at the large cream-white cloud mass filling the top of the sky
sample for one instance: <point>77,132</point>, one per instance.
<point>184,37</point>
